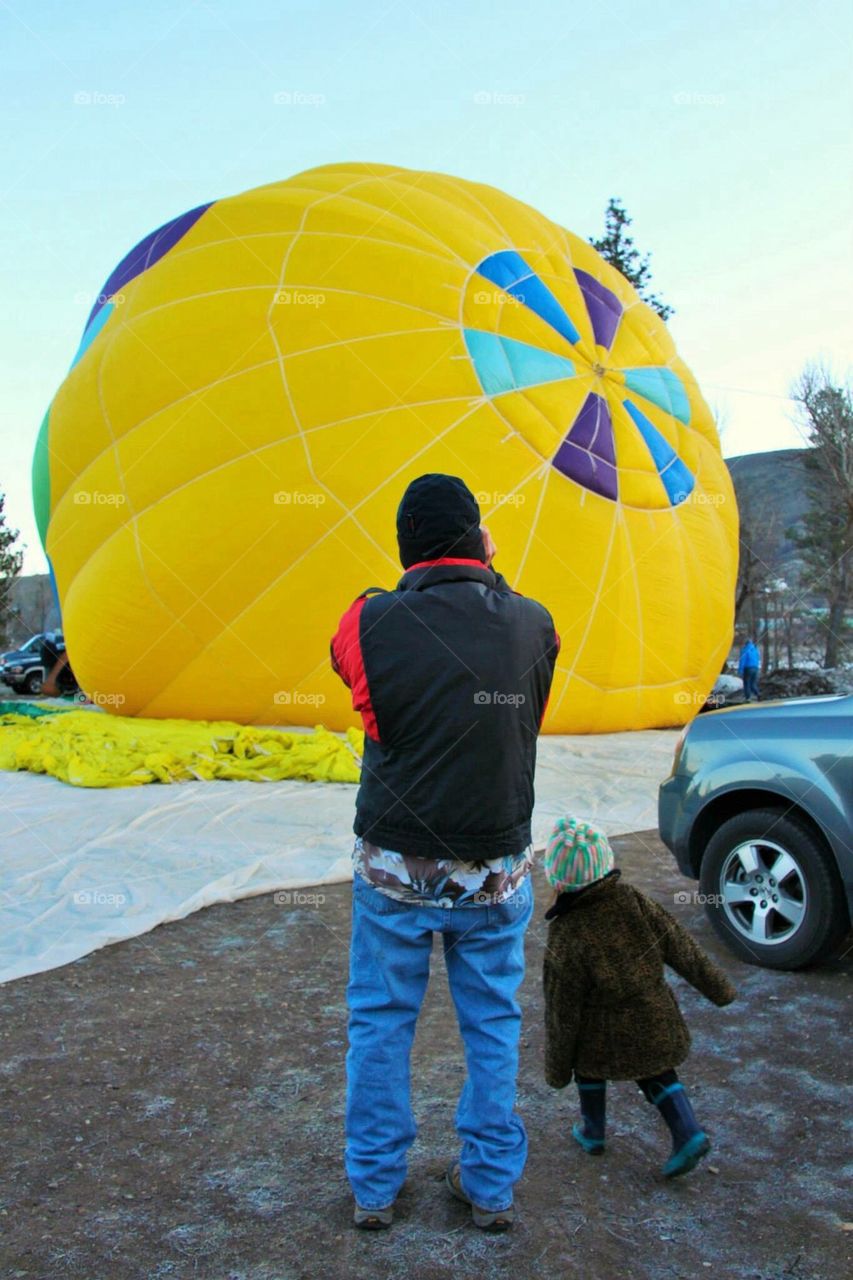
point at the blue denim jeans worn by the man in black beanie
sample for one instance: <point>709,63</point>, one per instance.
<point>389,976</point>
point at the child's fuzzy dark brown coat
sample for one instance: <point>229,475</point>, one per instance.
<point>610,1012</point>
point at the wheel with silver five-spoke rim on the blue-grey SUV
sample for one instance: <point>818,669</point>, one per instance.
<point>772,890</point>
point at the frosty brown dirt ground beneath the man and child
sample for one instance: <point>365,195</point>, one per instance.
<point>174,1109</point>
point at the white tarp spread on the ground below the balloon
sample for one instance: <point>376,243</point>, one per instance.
<point>84,868</point>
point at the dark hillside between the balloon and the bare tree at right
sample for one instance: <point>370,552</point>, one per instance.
<point>772,495</point>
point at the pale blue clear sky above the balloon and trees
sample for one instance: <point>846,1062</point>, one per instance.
<point>726,127</point>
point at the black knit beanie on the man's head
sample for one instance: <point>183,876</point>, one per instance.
<point>439,516</point>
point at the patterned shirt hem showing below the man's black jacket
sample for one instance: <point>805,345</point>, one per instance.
<point>441,881</point>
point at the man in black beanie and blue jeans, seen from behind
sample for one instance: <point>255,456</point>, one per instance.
<point>451,674</point>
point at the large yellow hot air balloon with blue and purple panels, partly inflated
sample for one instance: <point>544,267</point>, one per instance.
<point>218,476</point>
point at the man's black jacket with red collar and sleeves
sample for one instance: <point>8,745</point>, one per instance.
<point>451,673</point>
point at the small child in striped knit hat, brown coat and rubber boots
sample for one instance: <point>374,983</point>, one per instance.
<point>610,1014</point>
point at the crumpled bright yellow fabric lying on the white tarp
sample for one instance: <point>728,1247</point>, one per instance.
<point>93,749</point>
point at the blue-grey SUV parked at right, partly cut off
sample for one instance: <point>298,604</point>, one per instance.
<point>759,808</point>
